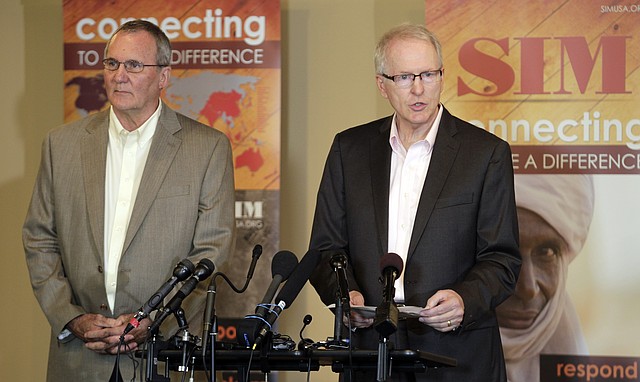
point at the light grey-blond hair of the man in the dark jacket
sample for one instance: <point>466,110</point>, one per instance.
<point>404,31</point>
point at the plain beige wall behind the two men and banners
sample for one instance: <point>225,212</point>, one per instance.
<point>328,85</point>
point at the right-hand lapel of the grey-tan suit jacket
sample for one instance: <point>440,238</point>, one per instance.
<point>163,149</point>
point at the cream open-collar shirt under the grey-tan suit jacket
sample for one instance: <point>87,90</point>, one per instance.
<point>127,154</point>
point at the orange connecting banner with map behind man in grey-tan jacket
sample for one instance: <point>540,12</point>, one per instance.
<point>226,74</point>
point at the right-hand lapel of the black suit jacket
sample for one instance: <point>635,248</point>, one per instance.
<point>444,154</point>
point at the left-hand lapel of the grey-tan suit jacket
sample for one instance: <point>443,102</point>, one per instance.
<point>94,159</point>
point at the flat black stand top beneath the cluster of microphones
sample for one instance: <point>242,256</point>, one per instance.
<point>340,360</point>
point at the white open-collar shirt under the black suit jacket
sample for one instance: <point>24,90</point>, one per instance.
<point>408,173</point>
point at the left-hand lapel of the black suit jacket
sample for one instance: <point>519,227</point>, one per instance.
<point>380,159</point>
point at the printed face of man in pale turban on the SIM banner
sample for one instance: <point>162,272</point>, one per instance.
<point>554,215</point>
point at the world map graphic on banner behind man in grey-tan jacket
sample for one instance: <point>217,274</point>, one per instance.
<point>224,101</point>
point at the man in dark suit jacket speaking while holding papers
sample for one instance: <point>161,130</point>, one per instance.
<point>438,192</point>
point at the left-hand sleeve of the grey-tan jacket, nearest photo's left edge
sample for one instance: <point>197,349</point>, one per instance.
<point>42,250</point>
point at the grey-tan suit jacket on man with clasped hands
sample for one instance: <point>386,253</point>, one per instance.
<point>184,208</point>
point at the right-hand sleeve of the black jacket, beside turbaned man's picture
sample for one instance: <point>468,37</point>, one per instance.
<point>493,278</point>
